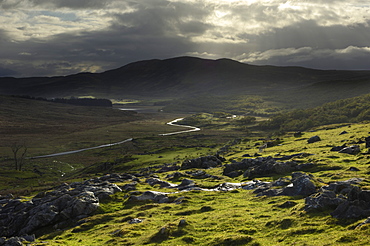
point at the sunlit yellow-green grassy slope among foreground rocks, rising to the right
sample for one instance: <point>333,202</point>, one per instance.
<point>237,217</point>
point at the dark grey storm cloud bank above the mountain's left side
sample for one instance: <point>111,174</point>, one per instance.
<point>149,32</point>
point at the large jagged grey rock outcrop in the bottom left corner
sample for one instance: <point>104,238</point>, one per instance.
<point>58,208</point>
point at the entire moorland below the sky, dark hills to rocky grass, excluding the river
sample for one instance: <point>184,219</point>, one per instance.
<point>250,176</point>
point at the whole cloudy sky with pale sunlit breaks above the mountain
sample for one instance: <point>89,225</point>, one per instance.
<point>62,37</point>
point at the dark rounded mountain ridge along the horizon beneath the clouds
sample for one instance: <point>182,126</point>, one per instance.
<point>179,77</point>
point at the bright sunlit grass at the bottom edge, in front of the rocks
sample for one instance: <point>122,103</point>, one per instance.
<point>231,218</point>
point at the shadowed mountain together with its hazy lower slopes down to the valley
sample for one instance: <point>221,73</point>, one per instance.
<point>188,84</point>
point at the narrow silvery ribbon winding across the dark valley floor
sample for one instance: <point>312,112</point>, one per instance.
<point>171,123</point>
